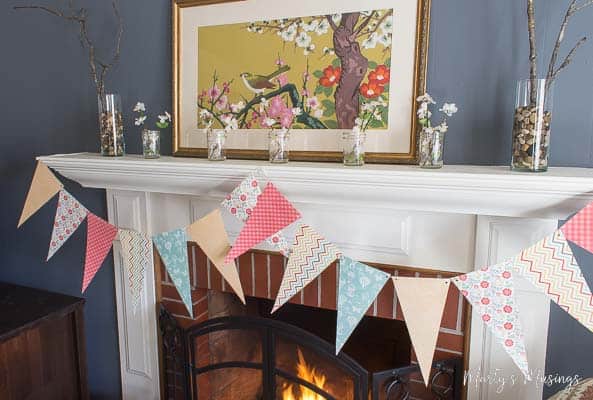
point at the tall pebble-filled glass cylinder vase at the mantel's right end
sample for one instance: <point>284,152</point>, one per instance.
<point>532,125</point>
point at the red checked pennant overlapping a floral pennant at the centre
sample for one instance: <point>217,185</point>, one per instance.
<point>271,213</point>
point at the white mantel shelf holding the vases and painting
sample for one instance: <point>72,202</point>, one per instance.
<point>466,189</point>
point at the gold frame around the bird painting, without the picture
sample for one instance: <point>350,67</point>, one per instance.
<point>420,62</point>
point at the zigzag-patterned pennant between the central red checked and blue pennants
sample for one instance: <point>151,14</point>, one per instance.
<point>310,256</point>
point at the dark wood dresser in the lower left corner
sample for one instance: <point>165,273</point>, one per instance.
<point>42,345</point>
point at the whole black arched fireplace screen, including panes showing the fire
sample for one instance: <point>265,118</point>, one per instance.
<point>253,358</point>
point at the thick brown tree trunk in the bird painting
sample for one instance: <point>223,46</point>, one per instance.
<point>354,67</point>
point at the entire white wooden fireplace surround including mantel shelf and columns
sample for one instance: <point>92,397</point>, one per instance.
<point>456,219</point>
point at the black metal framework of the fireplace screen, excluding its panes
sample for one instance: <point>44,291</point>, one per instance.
<point>179,351</point>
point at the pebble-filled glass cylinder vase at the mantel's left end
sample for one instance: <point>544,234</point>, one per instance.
<point>111,126</point>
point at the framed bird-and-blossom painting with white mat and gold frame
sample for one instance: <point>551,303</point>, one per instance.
<point>312,65</point>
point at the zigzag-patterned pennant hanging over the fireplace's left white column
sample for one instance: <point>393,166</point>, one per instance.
<point>136,251</point>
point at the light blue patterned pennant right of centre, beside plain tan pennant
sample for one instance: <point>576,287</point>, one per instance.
<point>358,287</point>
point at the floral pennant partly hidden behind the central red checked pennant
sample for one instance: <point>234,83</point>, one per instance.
<point>241,201</point>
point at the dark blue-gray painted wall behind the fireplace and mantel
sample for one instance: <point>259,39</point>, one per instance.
<point>47,105</point>
